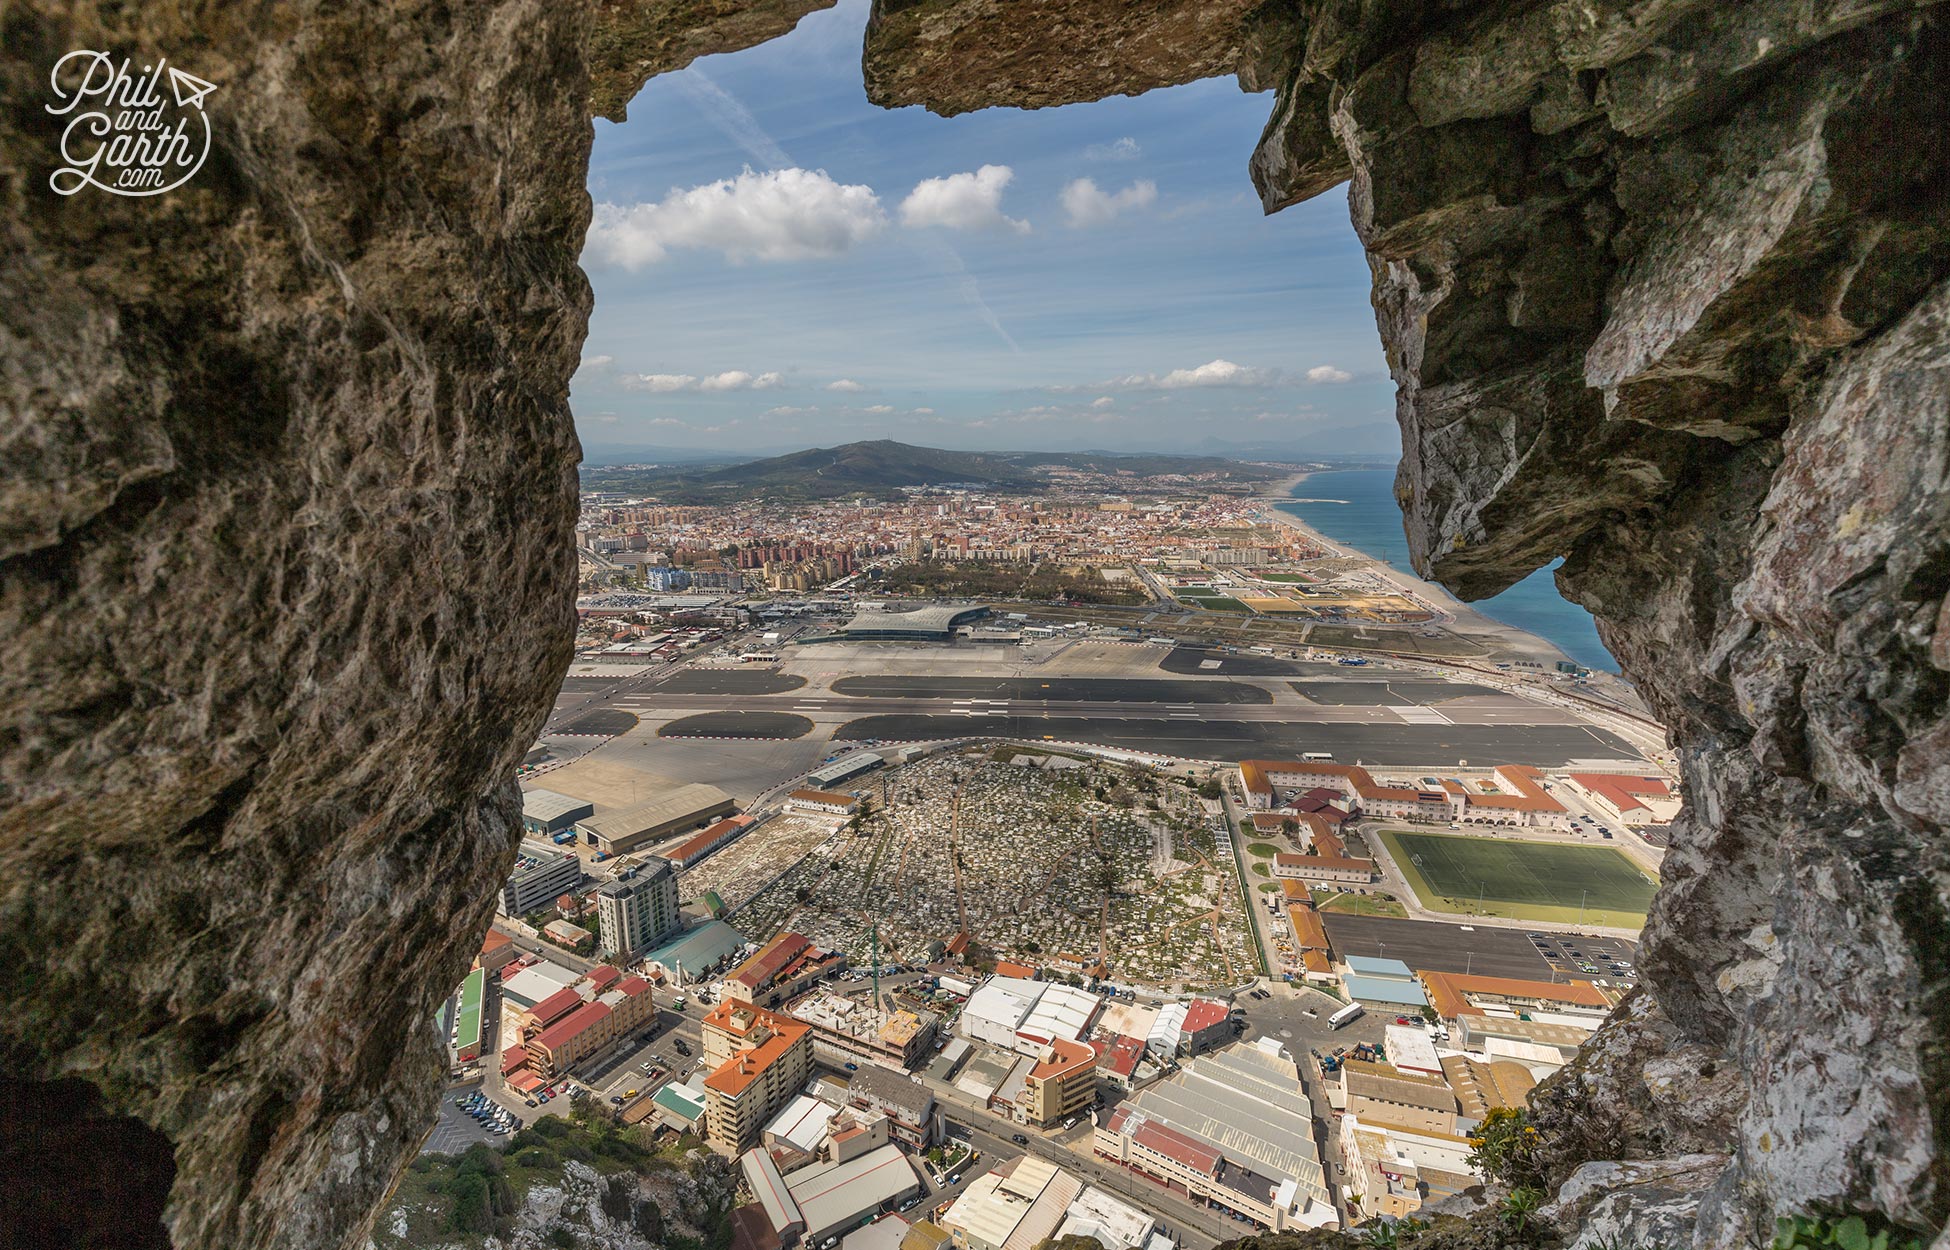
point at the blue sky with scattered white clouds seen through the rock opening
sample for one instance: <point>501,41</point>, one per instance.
<point>781,264</point>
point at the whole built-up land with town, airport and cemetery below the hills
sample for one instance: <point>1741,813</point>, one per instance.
<point>958,921</point>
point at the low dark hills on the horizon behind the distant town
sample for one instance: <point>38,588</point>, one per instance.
<point>884,467</point>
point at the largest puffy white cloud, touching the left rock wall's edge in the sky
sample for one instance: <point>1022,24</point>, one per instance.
<point>773,217</point>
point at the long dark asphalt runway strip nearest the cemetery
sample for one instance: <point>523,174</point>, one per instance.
<point>1206,736</point>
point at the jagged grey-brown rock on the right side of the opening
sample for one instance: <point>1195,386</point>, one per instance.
<point>1666,292</point>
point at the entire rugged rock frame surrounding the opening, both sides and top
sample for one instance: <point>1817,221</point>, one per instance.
<point>288,487</point>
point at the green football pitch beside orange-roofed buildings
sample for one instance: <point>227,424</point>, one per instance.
<point>1541,882</point>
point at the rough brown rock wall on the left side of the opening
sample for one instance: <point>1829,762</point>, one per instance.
<point>288,487</point>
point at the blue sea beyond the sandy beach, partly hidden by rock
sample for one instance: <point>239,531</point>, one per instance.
<point>1372,522</point>
